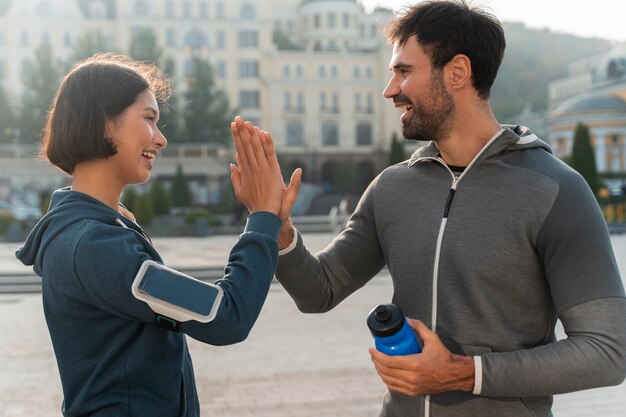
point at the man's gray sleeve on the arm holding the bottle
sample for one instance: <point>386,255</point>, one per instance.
<point>575,249</point>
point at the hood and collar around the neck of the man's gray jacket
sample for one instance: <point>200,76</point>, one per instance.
<point>510,138</point>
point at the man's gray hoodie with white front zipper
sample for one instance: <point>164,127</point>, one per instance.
<point>489,261</point>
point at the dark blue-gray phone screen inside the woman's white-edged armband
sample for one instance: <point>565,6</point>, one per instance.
<point>181,291</point>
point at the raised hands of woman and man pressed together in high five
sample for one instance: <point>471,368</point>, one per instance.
<point>256,178</point>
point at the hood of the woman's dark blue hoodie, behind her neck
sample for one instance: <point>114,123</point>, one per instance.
<point>67,208</point>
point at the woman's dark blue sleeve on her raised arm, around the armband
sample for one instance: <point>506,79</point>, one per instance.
<point>107,259</point>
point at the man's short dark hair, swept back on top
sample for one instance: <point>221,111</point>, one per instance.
<point>447,28</point>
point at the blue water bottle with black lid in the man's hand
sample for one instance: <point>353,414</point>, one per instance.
<point>392,334</point>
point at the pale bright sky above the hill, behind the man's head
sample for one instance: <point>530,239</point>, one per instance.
<point>597,18</point>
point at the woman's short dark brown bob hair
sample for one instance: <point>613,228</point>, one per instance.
<point>96,90</point>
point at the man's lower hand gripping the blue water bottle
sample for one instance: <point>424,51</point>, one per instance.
<point>433,371</point>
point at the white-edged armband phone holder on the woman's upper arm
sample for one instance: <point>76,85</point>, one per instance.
<point>176,295</point>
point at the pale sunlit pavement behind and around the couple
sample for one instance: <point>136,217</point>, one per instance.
<point>291,365</point>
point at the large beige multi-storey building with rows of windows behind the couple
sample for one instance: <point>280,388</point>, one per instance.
<point>310,71</point>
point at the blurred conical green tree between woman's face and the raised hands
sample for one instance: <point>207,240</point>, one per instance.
<point>206,112</point>
